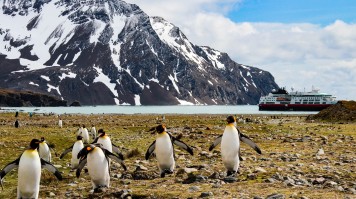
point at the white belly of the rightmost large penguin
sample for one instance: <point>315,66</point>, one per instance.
<point>230,145</point>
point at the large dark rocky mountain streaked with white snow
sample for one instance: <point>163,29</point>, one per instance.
<point>105,52</point>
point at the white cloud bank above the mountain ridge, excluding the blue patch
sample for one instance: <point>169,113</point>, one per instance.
<point>298,55</point>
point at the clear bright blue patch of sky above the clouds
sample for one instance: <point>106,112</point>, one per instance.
<point>322,12</point>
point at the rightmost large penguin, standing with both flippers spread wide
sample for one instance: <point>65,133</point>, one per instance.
<point>230,146</point>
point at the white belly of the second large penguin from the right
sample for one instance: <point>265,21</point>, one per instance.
<point>164,152</point>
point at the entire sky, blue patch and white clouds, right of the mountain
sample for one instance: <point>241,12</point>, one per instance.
<point>302,43</point>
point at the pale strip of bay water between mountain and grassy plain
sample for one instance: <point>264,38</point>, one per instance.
<point>180,109</point>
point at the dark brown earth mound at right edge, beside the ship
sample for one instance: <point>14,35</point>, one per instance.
<point>342,111</point>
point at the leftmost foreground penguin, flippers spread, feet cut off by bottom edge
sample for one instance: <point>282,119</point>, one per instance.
<point>29,166</point>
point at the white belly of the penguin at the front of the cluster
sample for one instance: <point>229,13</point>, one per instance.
<point>98,168</point>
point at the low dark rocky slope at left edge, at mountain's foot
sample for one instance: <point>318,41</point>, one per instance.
<point>13,98</point>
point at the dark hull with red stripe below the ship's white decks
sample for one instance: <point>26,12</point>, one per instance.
<point>292,107</point>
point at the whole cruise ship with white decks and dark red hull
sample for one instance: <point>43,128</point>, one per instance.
<point>281,100</point>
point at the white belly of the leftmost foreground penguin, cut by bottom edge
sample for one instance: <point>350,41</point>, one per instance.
<point>29,175</point>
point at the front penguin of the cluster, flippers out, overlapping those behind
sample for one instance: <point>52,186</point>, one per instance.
<point>97,159</point>
